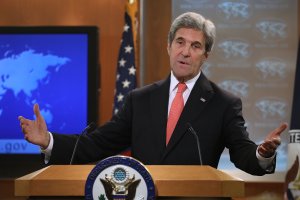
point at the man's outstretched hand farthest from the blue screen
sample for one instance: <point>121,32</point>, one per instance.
<point>271,142</point>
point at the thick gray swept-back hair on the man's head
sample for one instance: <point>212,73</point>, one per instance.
<point>194,21</point>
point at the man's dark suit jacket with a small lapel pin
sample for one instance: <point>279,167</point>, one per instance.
<point>214,114</point>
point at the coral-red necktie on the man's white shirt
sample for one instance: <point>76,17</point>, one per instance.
<point>175,111</point>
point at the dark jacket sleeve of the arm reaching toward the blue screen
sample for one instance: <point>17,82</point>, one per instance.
<point>109,139</point>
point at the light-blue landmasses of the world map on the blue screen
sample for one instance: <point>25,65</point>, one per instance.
<point>15,70</point>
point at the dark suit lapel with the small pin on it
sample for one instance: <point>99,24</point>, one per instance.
<point>200,95</point>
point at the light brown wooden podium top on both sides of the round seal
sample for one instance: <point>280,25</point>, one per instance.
<point>171,182</point>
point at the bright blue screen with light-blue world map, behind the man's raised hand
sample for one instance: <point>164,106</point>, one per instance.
<point>47,69</point>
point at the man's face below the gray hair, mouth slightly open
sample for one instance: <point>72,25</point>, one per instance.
<point>187,53</point>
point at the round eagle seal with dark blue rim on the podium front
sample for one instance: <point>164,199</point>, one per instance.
<point>119,178</point>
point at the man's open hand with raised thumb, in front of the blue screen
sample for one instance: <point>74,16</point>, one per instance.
<point>35,131</point>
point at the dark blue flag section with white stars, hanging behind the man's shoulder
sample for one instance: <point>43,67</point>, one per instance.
<point>126,69</point>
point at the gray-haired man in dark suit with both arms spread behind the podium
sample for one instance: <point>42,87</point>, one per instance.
<point>148,113</point>
